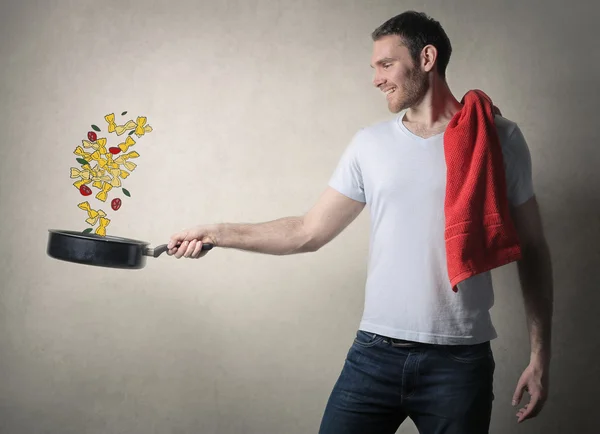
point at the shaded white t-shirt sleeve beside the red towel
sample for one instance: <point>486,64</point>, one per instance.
<point>519,182</point>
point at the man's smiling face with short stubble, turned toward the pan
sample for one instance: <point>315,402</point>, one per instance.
<point>403,82</point>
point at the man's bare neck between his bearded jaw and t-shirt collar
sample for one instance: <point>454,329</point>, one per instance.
<point>436,108</point>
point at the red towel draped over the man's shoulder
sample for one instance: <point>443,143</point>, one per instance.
<point>479,231</point>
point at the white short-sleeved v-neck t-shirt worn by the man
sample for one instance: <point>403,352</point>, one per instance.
<point>402,178</point>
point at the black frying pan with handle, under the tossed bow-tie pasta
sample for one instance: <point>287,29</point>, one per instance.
<point>102,251</point>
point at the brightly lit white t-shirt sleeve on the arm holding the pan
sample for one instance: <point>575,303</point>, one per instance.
<point>347,176</point>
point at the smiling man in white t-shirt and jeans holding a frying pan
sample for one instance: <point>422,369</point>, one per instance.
<point>422,351</point>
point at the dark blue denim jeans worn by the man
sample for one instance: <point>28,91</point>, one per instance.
<point>442,388</point>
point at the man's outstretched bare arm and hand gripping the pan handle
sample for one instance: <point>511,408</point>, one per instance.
<point>285,236</point>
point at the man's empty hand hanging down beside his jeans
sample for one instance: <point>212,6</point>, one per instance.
<point>534,380</point>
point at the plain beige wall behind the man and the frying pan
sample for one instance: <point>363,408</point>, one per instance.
<point>252,104</point>
